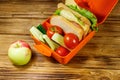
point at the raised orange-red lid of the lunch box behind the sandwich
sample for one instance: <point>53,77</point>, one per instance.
<point>101,8</point>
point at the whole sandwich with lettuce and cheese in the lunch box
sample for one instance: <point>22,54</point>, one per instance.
<point>73,19</point>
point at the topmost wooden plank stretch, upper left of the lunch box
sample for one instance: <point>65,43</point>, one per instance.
<point>27,9</point>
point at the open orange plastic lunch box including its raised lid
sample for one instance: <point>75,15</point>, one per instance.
<point>101,8</point>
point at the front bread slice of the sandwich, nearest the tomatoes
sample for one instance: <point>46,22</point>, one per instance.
<point>66,25</point>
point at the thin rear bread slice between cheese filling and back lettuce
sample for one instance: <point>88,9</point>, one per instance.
<point>86,21</point>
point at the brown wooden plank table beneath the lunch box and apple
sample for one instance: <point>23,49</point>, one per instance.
<point>98,60</point>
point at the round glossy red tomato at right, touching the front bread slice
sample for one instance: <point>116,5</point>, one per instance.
<point>71,40</point>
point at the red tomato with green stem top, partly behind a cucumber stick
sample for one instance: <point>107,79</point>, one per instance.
<point>54,29</point>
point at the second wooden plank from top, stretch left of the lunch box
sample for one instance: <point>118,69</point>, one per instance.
<point>17,26</point>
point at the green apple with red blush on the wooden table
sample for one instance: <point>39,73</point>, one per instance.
<point>19,52</point>
